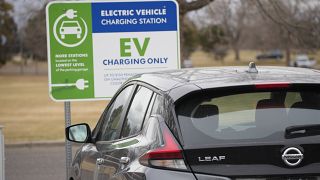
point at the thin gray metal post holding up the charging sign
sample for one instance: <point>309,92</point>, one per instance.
<point>67,114</point>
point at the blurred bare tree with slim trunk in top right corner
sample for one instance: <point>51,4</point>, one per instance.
<point>297,22</point>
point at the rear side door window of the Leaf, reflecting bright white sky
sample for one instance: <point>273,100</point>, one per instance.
<point>137,112</point>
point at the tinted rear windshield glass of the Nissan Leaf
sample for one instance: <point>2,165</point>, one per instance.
<point>245,117</point>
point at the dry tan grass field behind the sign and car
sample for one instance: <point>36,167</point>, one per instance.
<point>28,114</point>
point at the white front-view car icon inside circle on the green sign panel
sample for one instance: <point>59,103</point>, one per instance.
<point>70,28</point>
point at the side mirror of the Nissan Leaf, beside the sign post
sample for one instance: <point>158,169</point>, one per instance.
<point>79,133</point>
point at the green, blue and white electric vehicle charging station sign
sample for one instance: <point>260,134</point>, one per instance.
<point>93,47</point>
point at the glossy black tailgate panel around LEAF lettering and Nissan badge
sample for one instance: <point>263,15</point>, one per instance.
<point>267,162</point>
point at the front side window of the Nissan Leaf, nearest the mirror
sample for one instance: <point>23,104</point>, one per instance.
<point>111,127</point>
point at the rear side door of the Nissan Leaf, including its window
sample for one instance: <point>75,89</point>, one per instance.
<point>115,156</point>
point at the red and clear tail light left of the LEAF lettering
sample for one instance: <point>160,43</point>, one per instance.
<point>168,155</point>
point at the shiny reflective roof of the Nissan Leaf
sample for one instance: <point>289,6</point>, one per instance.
<point>177,83</point>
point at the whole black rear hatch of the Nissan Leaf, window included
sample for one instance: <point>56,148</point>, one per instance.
<point>256,132</point>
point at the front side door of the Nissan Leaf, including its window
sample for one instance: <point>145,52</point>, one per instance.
<point>108,130</point>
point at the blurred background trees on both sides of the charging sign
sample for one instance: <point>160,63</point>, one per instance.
<point>214,26</point>
